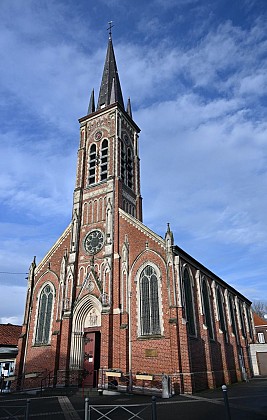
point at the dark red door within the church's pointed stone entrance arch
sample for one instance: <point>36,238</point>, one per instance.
<point>91,358</point>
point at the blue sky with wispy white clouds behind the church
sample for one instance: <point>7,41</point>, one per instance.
<point>196,72</point>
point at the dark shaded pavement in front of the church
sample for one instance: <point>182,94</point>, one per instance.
<point>247,401</point>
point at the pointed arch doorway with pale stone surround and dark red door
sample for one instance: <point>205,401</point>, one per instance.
<point>86,339</point>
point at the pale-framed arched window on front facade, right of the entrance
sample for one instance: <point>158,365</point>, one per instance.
<point>149,302</point>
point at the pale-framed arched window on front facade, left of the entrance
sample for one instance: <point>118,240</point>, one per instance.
<point>43,327</point>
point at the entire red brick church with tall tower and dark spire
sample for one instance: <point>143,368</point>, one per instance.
<point>113,299</point>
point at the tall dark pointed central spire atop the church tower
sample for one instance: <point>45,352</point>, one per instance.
<point>110,89</point>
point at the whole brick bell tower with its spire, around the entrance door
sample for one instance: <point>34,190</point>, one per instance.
<point>107,178</point>
